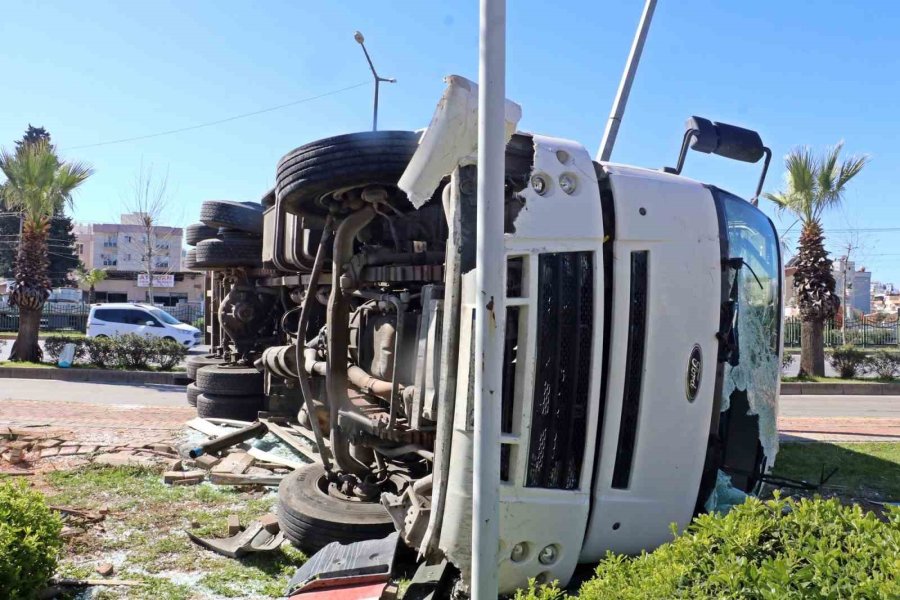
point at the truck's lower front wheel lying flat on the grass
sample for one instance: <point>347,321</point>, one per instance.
<point>311,518</point>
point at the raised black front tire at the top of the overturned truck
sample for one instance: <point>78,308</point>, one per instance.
<point>307,175</point>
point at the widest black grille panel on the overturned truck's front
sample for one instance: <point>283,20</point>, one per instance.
<point>565,319</point>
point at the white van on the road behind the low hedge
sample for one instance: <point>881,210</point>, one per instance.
<point>118,318</point>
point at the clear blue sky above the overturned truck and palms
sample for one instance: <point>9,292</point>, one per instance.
<point>801,73</point>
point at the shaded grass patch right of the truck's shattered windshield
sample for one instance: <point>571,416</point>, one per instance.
<point>868,470</point>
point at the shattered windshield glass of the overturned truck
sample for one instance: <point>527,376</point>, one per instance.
<point>753,272</point>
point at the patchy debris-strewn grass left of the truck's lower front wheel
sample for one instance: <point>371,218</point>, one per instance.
<point>145,532</point>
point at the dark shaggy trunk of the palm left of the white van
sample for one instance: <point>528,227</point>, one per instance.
<point>32,288</point>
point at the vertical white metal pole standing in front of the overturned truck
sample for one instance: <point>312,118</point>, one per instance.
<point>489,314</point>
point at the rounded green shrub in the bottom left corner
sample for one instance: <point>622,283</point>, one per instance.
<point>29,541</point>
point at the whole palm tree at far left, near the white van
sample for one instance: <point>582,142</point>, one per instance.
<point>37,185</point>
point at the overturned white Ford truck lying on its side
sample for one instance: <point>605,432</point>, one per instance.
<point>642,339</point>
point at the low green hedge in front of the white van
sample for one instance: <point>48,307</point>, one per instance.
<point>130,351</point>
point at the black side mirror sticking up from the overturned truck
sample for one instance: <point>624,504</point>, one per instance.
<point>729,141</point>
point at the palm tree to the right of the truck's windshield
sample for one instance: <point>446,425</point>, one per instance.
<point>813,185</point>
